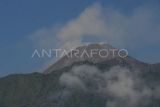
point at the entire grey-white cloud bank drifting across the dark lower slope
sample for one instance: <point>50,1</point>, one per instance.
<point>119,85</point>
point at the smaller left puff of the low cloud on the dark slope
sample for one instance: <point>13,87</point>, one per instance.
<point>79,75</point>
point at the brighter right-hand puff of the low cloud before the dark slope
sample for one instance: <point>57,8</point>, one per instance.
<point>127,89</point>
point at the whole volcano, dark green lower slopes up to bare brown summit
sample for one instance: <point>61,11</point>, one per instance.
<point>85,82</point>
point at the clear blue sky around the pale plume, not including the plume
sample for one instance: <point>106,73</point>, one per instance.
<point>20,19</point>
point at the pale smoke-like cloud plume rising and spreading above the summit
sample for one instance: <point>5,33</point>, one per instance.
<point>106,23</point>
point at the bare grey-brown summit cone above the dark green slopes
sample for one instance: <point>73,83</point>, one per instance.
<point>100,51</point>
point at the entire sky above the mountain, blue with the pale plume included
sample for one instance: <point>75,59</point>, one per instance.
<point>29,24</point>
